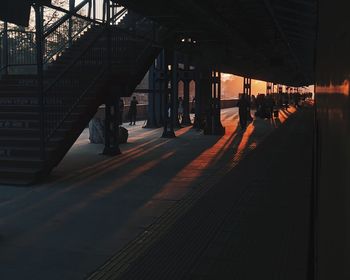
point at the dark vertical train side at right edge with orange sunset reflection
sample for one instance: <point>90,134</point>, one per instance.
<point>333,141</point>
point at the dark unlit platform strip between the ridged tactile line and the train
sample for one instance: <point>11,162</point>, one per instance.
<point>251,223</point>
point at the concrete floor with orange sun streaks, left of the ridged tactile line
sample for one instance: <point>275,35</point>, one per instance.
<point>92,206</point>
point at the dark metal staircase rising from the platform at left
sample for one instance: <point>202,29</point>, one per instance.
<point>42,114</point>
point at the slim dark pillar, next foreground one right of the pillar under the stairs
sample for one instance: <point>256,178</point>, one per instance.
<point>169,96</point>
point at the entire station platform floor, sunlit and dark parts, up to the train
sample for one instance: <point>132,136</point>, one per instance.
<point>193,207</point>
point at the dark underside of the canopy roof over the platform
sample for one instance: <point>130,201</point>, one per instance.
<point>271,40</point>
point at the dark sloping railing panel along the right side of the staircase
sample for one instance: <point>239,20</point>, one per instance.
<point>65,92</point>
